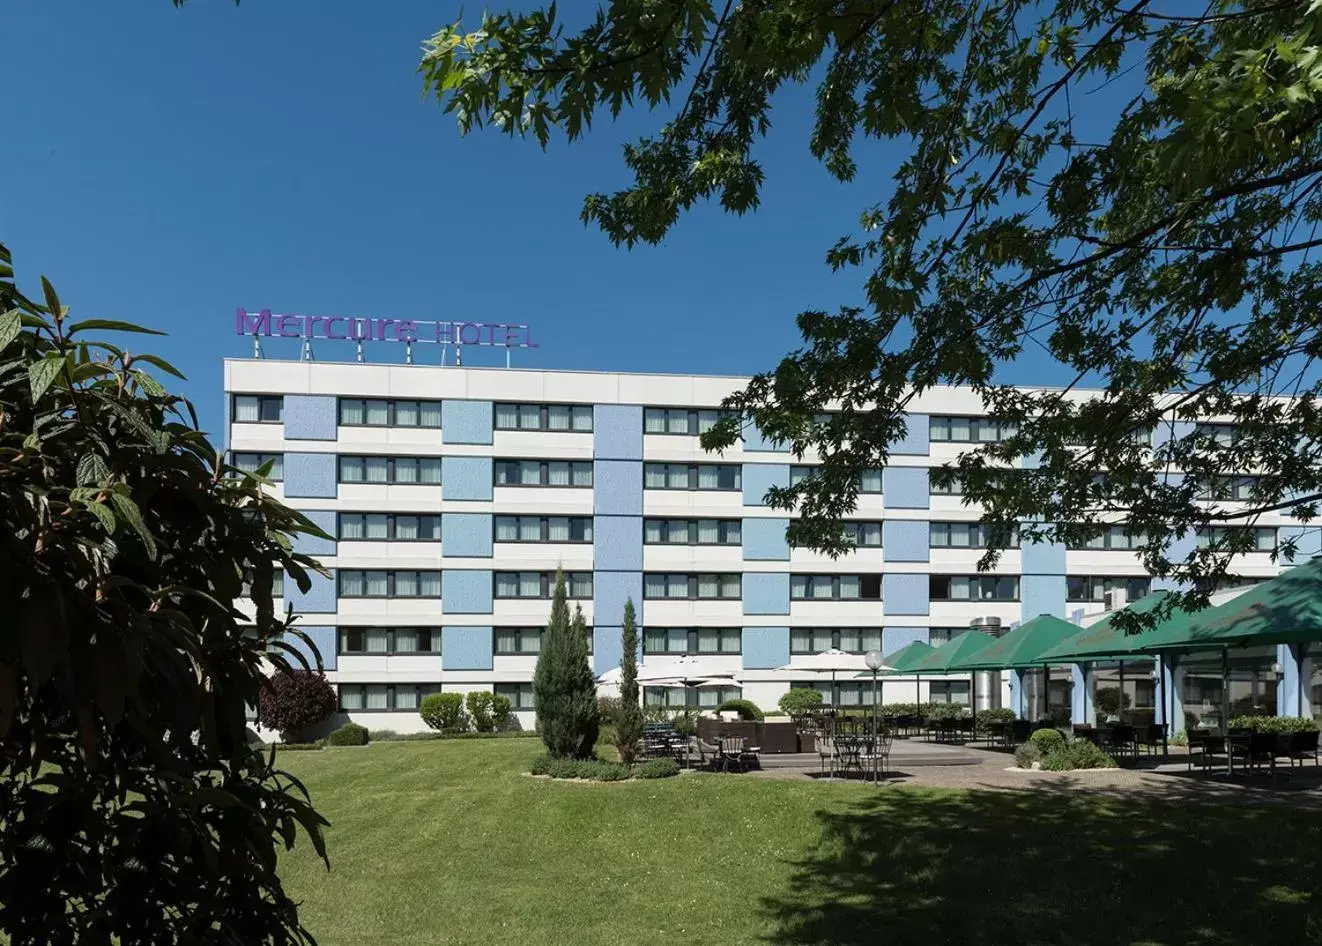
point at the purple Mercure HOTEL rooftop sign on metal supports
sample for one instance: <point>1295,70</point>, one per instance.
<point>360,330</point>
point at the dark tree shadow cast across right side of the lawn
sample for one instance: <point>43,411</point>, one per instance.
<point>1001,869</point>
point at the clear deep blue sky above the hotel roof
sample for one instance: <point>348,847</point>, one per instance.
<point>170,166</point>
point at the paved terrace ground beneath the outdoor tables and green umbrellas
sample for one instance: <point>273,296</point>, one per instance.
<point>992,771</point>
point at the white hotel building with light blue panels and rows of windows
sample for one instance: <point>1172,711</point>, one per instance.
<point>453,495</point>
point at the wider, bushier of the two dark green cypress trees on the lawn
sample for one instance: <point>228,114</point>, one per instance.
<point>564,688</point>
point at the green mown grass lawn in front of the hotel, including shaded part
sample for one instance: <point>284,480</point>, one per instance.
<point>449,844</point>
